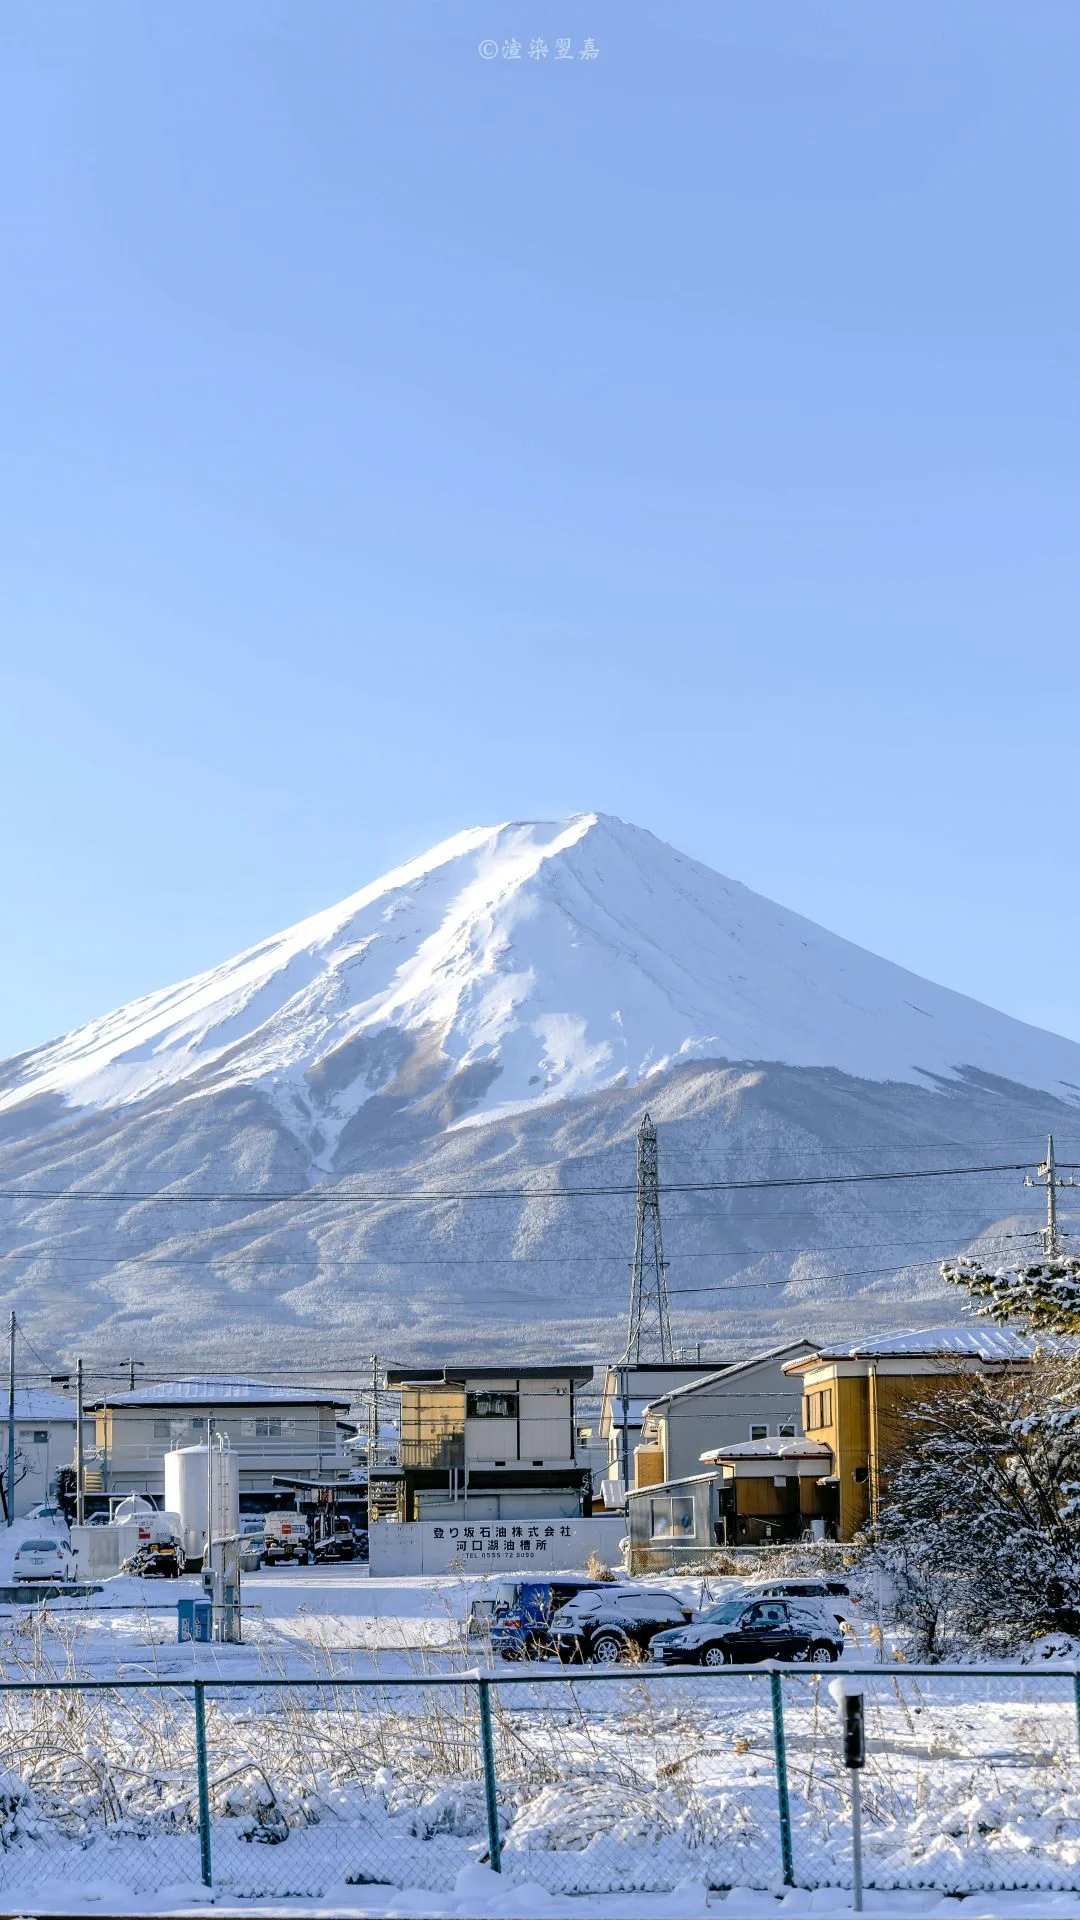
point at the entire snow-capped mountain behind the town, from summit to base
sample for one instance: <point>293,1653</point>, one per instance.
<point>493,1019</point>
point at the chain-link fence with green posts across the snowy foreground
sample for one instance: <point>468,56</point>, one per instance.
<point>576,1781</point>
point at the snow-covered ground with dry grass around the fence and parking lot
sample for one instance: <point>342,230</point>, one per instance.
<point>633,1794</point>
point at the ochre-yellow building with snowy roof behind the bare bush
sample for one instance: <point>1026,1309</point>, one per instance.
<point>858,1403</point>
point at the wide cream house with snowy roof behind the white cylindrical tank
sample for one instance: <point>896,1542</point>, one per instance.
<point>280,1435</point>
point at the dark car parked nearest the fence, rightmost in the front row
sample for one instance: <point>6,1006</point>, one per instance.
<point>739,1633</point>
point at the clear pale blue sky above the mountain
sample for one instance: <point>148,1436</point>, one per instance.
<point>399,441</point>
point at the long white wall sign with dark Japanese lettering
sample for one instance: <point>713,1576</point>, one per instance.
<point>493,1547</point>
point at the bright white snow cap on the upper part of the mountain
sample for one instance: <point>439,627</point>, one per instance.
<point>541,963</point>
